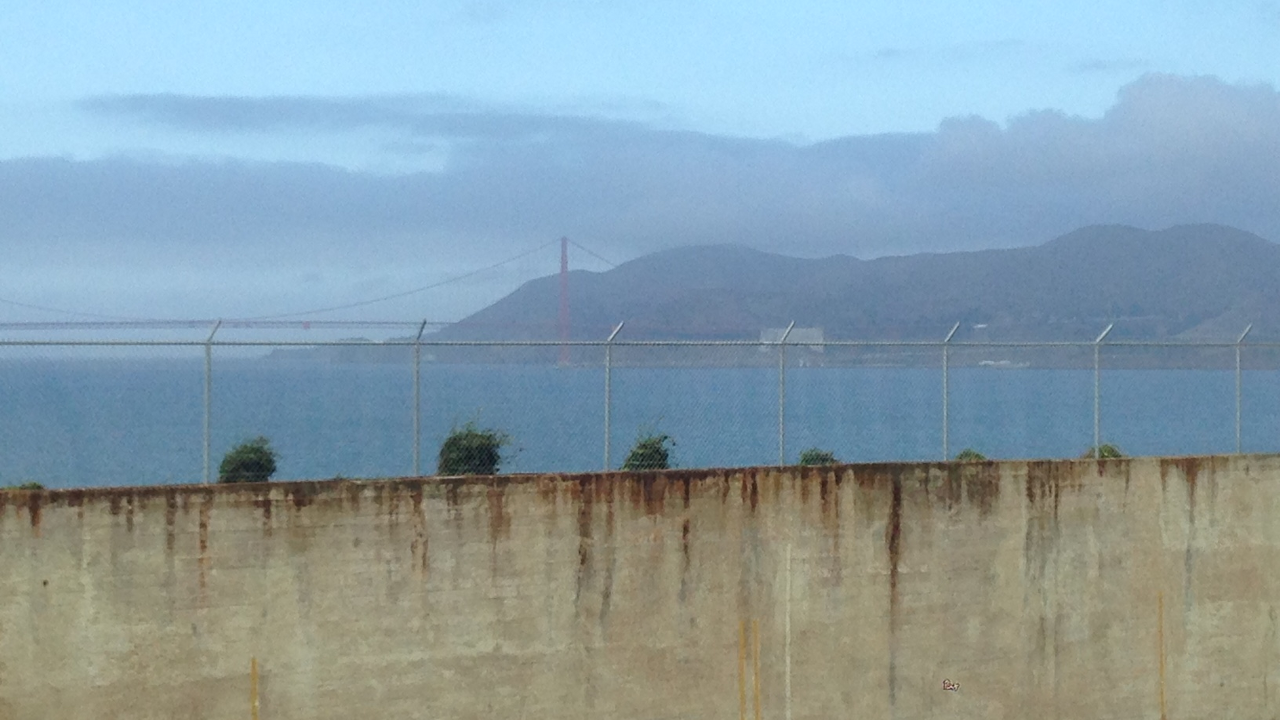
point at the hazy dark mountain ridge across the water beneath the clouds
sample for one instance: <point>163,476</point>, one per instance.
<point>1188,282</point>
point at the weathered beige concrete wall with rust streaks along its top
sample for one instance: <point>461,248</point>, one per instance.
<point>1117,590</point>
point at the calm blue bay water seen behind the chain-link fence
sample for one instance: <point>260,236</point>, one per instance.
<point>100,422</point>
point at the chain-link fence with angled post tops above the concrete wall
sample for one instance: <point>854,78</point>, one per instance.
<point>158,404</point>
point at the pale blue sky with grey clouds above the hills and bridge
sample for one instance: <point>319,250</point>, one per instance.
<point>278,160</point>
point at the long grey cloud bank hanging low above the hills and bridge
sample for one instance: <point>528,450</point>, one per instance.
<point>1171,151</point>
